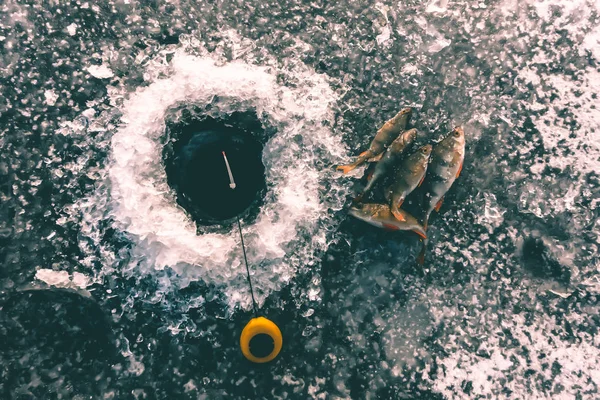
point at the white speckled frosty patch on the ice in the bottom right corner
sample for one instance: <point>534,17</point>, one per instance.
<point>539,362</point>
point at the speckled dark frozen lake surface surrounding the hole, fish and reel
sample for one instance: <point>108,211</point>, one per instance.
<point>109,290</point>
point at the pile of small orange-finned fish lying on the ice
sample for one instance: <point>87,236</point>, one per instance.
<point>400,169</point>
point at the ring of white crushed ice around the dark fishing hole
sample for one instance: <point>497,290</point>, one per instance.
<point>297,219</point>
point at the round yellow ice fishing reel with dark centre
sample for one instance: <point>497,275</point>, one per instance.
<point>261,340</point>
